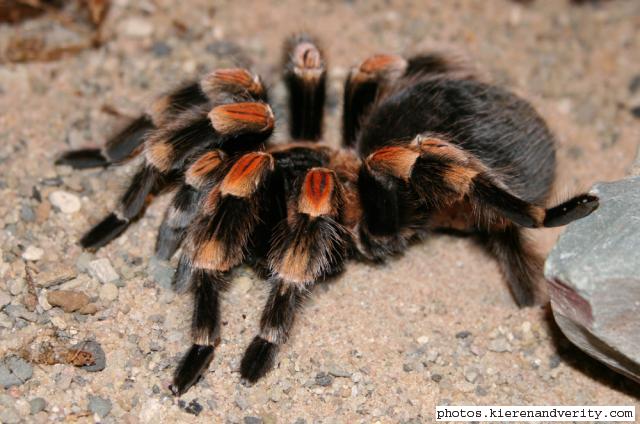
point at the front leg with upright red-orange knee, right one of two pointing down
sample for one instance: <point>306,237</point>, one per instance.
<point>308,245</point>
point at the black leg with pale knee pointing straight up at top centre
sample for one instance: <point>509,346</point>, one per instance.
<point>306,78</point>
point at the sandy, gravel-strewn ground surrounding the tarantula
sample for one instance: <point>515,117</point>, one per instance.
<point>388,343</point>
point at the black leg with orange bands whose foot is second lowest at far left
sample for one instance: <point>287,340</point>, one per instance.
<point>231,127</point>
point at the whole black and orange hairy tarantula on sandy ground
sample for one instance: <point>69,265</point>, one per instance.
<point>426,145</point>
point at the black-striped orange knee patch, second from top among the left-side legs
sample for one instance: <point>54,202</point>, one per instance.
<point>242,118</point>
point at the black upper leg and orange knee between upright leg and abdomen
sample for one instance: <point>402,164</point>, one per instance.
<point>363,85</point>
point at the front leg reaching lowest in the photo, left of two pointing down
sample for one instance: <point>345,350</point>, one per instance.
<point>217,241</point>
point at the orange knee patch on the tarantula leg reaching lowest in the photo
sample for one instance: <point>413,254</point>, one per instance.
<point>246,174</point>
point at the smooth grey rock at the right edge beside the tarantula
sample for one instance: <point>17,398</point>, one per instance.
<point>594,278</point>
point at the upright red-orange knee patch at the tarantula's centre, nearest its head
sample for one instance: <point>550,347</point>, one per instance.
<point>317,194</point>
